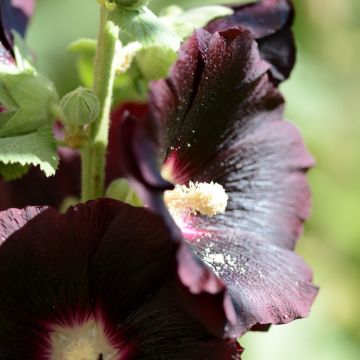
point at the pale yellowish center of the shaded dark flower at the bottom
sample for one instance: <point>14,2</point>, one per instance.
<point>84,342</point>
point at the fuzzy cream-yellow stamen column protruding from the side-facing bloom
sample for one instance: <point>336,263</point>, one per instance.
<point>197,198</point>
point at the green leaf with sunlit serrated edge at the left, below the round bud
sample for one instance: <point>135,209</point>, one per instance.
<point>37,148</point>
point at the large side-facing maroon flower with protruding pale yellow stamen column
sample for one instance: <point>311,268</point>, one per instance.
<point>241,194</point>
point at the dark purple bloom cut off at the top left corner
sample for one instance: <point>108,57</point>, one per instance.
<point>14,15</point>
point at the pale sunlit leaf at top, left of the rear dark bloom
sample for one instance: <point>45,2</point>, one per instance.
<point>184,22</point>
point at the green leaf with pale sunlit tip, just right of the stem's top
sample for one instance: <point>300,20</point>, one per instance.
<point>146,28</point>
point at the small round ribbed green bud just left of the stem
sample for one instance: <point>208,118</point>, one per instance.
<point>80,107</point>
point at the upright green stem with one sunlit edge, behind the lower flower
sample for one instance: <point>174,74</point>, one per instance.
<point>93,153</point>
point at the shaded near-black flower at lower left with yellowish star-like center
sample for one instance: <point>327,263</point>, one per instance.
<point>95,283</point>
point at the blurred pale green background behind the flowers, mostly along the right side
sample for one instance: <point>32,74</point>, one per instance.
<point>323,100</point>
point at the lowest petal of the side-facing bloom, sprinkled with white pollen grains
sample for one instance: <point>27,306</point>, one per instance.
<point>268,284</point>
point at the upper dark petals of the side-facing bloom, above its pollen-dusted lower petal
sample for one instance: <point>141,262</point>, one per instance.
<point>232,133</point>
